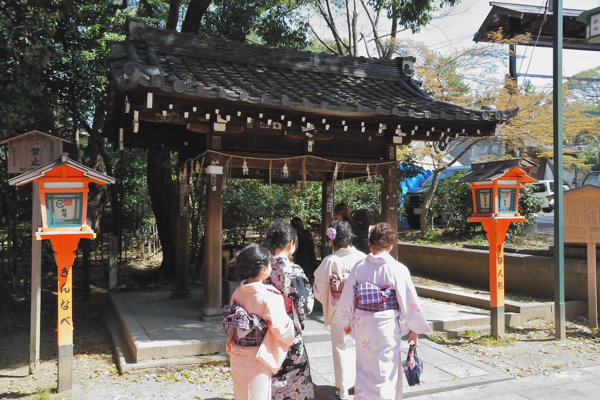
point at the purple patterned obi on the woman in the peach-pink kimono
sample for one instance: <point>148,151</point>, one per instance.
<point>248,329</point>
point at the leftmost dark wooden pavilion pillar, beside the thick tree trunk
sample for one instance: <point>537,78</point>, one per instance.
<point>182,242</point>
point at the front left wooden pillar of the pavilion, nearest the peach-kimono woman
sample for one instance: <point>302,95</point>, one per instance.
<point>213,241</point>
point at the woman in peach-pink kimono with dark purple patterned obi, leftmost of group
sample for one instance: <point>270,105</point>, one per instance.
<point>260,331</point>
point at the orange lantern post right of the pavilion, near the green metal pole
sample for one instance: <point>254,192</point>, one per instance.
<point>495,186</point>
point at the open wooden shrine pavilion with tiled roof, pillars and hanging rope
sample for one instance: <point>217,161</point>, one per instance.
<point>249,111</point>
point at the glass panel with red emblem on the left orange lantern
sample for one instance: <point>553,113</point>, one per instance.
<point>64,209</point>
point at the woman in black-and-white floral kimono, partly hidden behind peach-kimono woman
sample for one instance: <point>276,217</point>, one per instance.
<point>293,381</point>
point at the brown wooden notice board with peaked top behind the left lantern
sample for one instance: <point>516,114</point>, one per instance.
<point>32,150</point>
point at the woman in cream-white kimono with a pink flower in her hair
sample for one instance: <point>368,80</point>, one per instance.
<point>328,286</point>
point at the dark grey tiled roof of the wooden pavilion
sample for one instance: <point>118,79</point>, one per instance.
<point>212,68</point>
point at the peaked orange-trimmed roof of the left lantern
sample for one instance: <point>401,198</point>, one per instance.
<point>74,169</point>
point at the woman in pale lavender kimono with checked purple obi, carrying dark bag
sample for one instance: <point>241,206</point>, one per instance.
<point>379,305</point>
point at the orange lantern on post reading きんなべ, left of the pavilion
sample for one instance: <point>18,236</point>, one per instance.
<point>63,191</point>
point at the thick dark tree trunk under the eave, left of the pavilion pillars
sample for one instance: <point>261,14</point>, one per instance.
<point>162,191</point>
